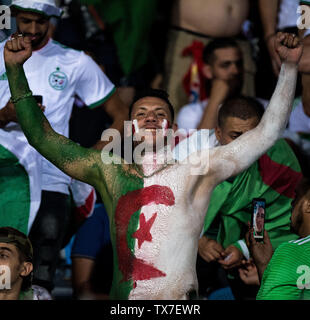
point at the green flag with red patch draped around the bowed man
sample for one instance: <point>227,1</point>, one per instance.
<point>274,177</point>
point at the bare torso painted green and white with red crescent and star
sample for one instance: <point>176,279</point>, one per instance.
<point>149,230</point>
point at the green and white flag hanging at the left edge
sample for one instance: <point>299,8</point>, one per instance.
<point>20,180</point>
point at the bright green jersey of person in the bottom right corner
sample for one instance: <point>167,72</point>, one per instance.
<point>287,276</point>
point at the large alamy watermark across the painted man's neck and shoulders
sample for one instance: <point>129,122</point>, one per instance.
<point>168,146</point>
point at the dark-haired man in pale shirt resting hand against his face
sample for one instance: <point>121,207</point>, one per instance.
<point>223,70</point>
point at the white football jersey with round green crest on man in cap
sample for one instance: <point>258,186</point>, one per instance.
<point>59,73</point>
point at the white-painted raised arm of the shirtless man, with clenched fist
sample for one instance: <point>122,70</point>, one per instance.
<point>237,156</point>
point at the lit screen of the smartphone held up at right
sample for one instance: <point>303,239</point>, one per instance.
<point>258,218</point>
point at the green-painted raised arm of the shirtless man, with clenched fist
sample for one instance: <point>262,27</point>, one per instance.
<point>77,162</point>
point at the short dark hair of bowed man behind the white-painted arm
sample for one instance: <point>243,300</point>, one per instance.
<point>241,107</point>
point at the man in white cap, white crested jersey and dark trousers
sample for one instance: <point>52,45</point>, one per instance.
<point>58,74</point>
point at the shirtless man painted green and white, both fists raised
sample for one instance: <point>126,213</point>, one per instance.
<point>156,210</point>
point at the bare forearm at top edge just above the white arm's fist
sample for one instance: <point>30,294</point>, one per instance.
<point>268,11</point>
